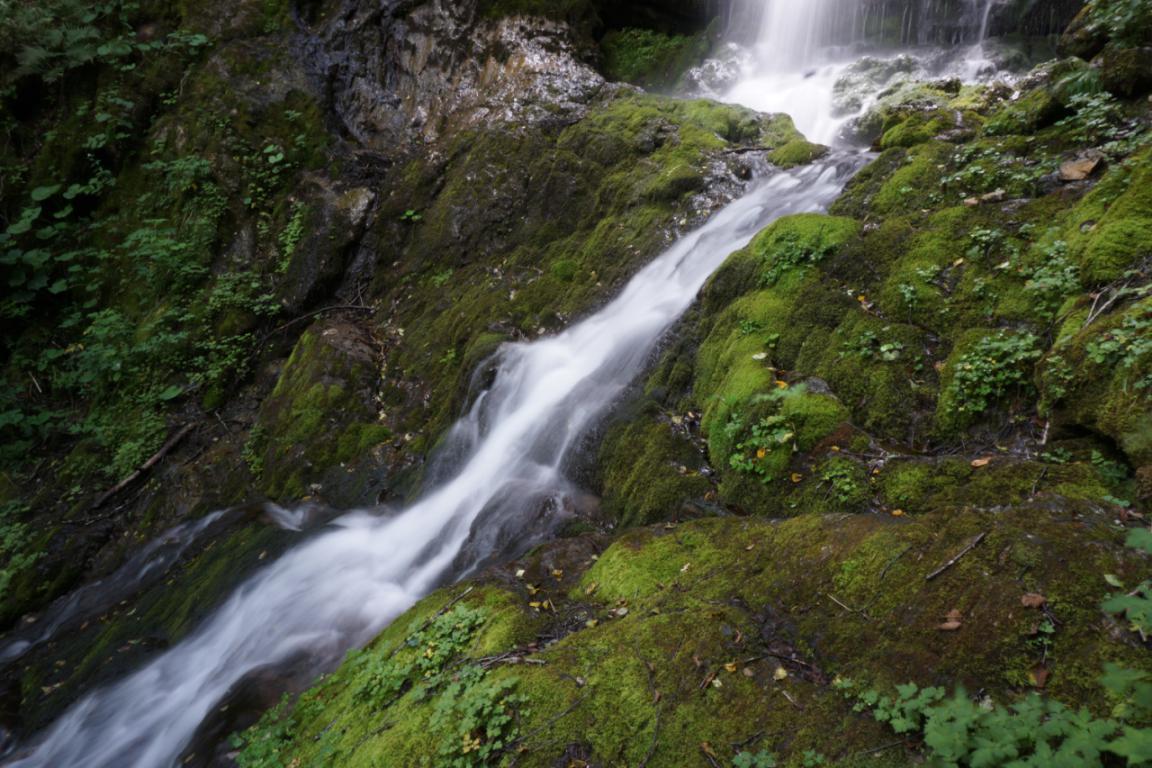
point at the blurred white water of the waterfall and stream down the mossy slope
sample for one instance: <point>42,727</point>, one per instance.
<point>340,589</point>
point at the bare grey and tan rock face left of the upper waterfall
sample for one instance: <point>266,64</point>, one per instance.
<point>412,73</point>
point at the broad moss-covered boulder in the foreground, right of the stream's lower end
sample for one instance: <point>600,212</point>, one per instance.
<point>724,635</point>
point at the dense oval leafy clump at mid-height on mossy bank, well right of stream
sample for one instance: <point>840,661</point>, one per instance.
<point>991,369</point>
